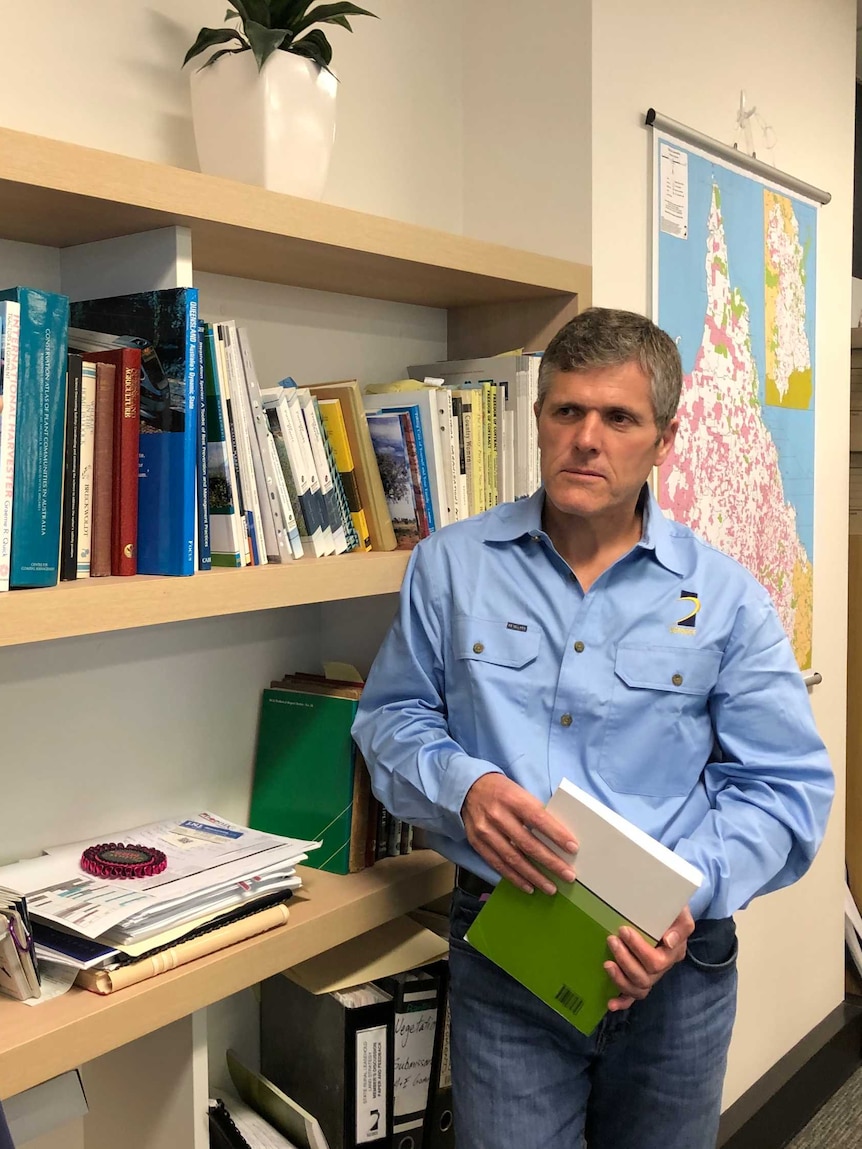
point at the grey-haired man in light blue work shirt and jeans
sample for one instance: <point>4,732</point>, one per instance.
<point>580,634</point>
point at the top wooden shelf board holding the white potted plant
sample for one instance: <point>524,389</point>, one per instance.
<point>63,195</point>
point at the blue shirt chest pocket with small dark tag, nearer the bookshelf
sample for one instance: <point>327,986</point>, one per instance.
<point>494,661</point>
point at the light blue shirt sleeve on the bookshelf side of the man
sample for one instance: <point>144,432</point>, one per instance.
<point>418,770</point>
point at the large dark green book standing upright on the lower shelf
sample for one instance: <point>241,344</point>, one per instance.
<point>304,773</point>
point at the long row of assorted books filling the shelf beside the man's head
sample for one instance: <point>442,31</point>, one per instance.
<point>137,438</point>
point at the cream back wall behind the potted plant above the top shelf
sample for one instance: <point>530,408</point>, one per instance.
<point>109,75</point>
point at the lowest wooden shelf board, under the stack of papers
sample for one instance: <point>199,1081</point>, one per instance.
<point>39,1043</point>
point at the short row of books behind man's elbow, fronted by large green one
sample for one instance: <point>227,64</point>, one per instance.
<point>311,781</point>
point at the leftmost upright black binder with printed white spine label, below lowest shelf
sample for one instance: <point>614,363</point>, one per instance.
<point>334,1061</point>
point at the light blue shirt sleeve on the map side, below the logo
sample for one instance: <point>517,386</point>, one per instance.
<point>771,786</point>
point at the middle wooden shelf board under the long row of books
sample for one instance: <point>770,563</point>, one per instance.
<point>96,606</point>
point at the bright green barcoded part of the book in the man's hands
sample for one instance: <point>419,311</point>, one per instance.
<point>556,946</point>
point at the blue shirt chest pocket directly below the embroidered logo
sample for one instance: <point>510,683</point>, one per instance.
<point>659,734</point>
